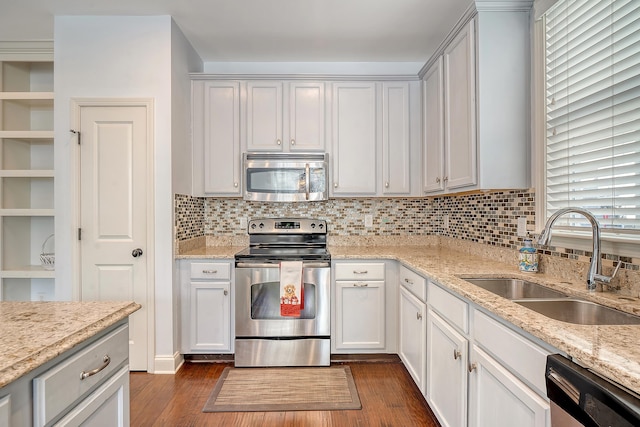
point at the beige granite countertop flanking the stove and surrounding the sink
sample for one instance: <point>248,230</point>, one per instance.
<point>612,351</point>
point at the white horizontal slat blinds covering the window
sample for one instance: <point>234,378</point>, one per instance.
<point>593,111</point>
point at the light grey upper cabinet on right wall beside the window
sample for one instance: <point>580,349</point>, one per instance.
<point>476,121</point>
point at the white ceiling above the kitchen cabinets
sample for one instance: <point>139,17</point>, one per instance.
<point>268,30</point>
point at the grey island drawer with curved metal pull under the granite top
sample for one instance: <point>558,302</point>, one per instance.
<point>61,385</point>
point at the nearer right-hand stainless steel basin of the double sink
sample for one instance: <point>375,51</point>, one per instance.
<point>579,312</point>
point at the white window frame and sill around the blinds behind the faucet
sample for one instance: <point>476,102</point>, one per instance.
<point>622,244</point>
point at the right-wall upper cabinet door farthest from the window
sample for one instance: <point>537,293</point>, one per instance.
<point>433,122</point>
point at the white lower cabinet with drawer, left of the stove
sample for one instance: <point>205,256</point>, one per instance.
<point>206,307</point>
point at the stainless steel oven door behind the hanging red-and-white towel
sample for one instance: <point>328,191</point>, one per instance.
<point>257,288</point>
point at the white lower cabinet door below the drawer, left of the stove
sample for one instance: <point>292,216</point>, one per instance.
<point>210,316</point>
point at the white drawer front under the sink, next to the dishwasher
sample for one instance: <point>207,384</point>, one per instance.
<point>519,355</point>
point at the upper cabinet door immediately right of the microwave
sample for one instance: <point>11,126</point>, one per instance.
<point>354,139</point>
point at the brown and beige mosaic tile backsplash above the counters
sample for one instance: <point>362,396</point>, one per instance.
<point>488,218</point>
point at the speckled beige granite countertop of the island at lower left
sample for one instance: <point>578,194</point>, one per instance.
<point>33,333</point>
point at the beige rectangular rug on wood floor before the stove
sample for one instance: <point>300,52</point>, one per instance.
<point>284,389</point>
